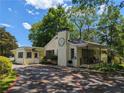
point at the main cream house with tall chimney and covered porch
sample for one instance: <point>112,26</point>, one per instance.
<point>75,52</point>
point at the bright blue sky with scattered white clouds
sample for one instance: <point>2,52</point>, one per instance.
<point>18,15</point>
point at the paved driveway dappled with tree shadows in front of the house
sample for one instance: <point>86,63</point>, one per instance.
<point>53,79</point>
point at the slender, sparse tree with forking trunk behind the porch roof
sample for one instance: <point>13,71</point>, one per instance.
<point>84,20</point>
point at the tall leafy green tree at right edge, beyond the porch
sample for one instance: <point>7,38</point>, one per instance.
<point>111,28</point>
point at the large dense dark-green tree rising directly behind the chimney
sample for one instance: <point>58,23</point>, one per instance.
<point>56,20</point>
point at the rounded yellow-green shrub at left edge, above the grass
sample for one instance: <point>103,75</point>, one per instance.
<point>5,66</point>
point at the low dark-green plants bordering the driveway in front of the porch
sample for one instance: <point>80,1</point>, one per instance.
<point>105,67</point>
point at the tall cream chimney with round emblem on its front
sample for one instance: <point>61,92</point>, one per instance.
<point>62,48</point>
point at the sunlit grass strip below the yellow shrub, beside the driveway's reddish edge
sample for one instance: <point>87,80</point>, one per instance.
<point>5,83</point>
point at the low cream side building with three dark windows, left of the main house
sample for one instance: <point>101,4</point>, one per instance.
<point>27,55</point>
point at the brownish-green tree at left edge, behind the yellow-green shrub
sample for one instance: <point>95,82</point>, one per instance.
<point>7,42</point>
